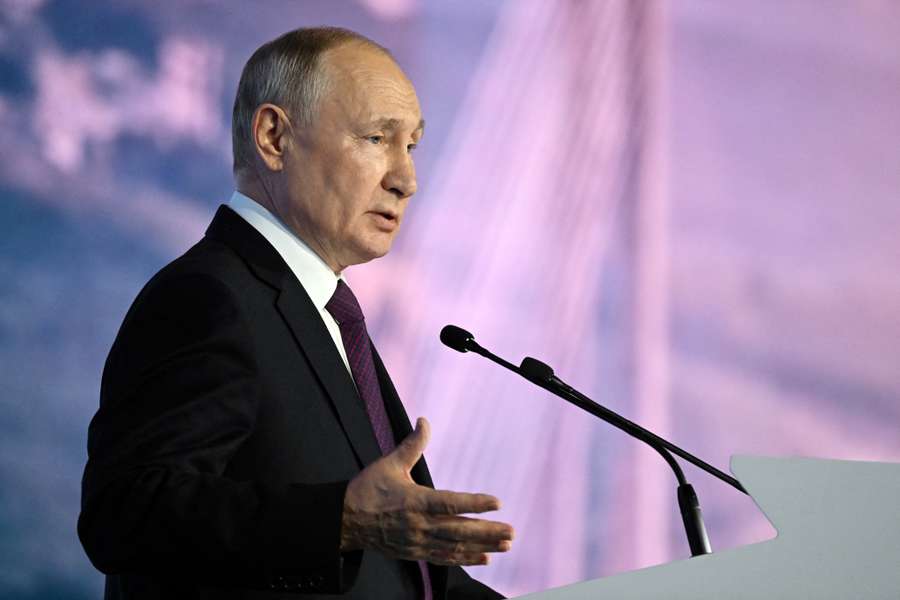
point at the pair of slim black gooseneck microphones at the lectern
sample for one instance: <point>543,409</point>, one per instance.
<point>543,376</point>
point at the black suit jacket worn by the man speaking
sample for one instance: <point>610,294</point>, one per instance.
<point>227,431</point>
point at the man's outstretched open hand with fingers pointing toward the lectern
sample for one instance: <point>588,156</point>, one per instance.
<point>385,510</point>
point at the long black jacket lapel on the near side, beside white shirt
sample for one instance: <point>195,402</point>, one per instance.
<point>306,326</point>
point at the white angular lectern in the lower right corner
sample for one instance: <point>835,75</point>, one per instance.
<point>838,525</point>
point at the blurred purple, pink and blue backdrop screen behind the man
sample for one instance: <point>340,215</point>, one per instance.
<point>689,208</point>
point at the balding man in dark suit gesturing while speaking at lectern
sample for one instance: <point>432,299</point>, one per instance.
<point>249,442</point>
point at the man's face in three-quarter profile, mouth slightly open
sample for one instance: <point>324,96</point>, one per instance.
<point>348,177</point>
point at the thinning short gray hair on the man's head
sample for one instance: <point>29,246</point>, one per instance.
<point>285,72</point>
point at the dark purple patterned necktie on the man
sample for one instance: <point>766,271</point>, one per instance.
<point>346,311</point>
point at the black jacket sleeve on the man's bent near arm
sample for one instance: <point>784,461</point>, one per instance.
<point>178,398</point>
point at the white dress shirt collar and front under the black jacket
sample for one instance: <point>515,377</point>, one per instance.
<point>314,275</point>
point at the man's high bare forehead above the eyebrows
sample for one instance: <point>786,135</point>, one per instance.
<point>365,83</point>
